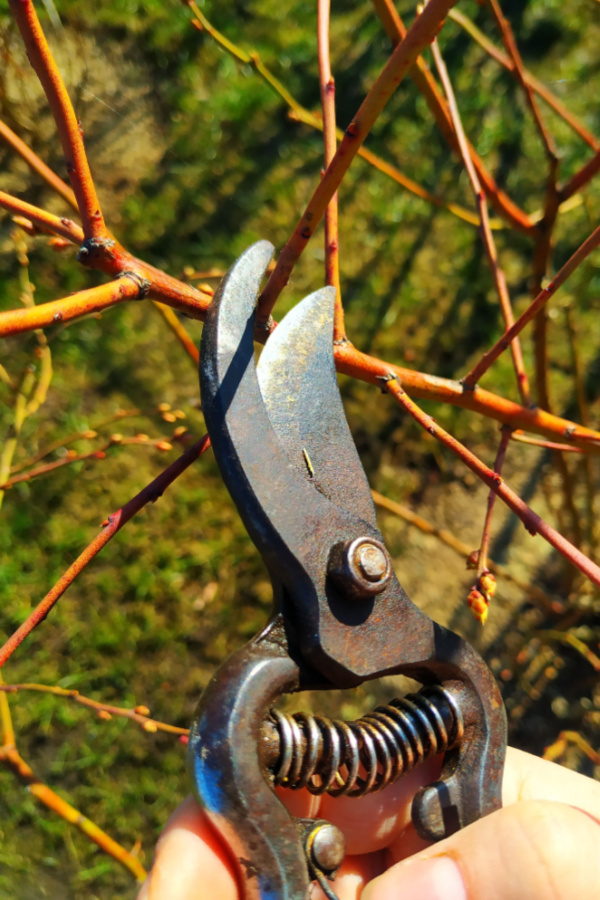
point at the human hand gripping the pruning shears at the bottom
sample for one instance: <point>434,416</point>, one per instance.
<point>543,845</point>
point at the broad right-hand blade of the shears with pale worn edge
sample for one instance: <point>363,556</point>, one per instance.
<point>296,374</point>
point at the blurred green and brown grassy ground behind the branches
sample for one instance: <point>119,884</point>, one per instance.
<point>194,158</point>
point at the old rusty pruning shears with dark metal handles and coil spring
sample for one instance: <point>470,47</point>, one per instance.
<point>340,616</point>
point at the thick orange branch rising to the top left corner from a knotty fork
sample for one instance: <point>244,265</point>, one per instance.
<point>69,129</point>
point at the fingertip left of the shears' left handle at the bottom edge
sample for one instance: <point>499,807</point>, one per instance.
<point>190,861</point>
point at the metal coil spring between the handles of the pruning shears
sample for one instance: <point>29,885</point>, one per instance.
<point>326,755</point>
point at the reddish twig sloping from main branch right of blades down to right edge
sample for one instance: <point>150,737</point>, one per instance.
<point>533,523</point>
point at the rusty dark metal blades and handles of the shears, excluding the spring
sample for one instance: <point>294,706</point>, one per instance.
<point>288,460</point>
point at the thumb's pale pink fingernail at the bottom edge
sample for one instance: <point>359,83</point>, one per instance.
<point>435,878</point>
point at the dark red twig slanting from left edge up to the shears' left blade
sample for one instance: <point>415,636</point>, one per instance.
<point>113,524</point>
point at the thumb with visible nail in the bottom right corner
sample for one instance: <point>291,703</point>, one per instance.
<point>537,849</point>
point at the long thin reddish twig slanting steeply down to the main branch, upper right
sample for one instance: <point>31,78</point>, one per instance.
<point>485,229</point>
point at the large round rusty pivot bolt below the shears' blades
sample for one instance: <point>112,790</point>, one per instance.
<point>361,567</point>
